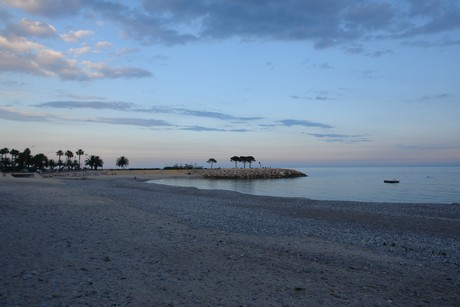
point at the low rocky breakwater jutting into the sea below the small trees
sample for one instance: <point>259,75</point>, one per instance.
<point>251,173</point>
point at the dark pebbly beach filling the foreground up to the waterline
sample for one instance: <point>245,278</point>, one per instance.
<point>120,241</point>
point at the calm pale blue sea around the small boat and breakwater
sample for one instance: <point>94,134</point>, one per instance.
<point>417,184</point>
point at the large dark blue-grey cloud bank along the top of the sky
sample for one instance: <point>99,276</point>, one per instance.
<point>323,23</point>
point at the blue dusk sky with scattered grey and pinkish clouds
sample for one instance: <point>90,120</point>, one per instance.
<point>292,83</point>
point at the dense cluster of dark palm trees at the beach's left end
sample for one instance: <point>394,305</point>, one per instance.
<point>15,160</point>
